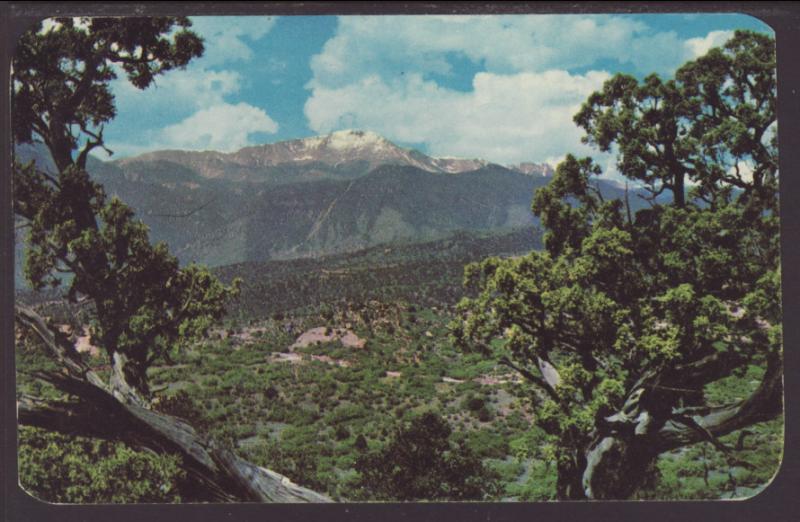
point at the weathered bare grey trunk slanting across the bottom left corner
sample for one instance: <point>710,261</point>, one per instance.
<point>215,472</point>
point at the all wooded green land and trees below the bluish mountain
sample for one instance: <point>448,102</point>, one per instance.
<point>612,354</point>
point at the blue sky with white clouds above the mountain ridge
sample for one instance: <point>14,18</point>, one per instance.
<point>500,88</point>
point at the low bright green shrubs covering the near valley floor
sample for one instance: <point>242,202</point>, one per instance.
<point>292,432</point>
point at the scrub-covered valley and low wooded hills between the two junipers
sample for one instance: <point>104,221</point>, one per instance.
<point>321,361</point>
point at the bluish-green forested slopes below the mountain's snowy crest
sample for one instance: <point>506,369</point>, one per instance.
<point>220,222</point>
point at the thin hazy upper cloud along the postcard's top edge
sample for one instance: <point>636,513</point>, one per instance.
<point>502,43</point>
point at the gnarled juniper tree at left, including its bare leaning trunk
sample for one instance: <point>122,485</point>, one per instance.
<point>144,303</point>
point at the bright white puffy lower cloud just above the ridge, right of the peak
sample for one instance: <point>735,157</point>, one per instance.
<point>506,118</point>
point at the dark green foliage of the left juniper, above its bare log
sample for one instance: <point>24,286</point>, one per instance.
<point>145,304</point>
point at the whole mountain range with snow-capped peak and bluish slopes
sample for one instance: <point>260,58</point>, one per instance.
<point>324,195</point>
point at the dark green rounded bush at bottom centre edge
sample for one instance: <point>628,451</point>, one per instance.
<point>420,463</point>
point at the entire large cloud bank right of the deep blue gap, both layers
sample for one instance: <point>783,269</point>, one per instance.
<point>379,73</point>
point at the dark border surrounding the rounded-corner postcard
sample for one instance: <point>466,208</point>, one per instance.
<point>780,501</point>
